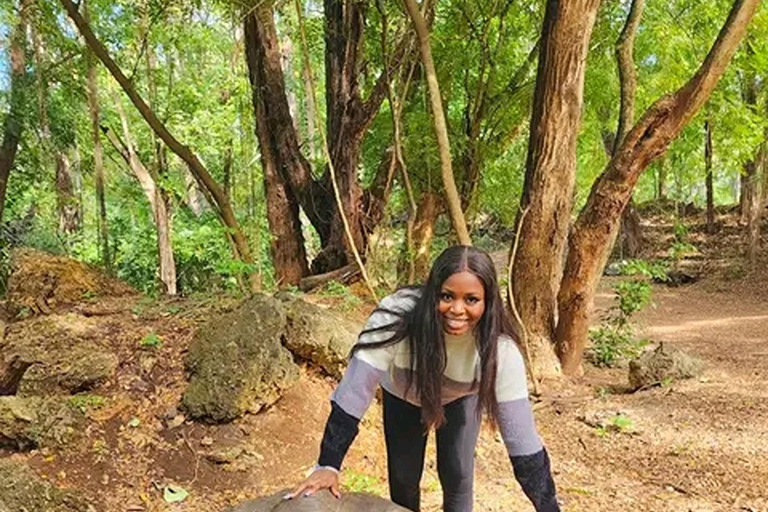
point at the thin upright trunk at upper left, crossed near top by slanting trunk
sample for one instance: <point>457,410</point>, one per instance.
<point>98,156</point>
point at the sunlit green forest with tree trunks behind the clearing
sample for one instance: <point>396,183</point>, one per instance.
<point>191,147</point>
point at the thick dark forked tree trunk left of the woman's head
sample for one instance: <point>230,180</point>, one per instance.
<point>348,117</point>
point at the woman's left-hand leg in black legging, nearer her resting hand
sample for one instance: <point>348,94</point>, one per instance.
<point>406,440</point>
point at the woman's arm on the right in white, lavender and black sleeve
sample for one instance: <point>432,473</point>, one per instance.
<point>530,460</point>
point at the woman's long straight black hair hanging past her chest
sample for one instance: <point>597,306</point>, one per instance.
<point>423,327</point>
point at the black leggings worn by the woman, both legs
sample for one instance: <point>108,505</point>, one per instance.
<point>406,441</point>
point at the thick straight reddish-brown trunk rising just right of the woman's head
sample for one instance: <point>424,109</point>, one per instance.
<point>550,172</point>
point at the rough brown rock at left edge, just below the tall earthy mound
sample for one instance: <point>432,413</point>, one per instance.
<point>66,352</point>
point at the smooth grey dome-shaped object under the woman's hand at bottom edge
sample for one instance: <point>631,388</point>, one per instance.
<point>322,501</point>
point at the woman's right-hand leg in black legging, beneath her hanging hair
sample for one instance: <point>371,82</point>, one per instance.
<point>456,441</point>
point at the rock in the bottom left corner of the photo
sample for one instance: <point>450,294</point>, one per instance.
<point>21,489</point>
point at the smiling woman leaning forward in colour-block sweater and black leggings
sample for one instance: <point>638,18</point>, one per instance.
<point>443,354</point>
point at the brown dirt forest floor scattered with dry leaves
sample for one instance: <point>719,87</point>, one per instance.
<point>696,445</point>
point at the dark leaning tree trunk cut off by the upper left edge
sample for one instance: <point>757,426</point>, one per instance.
<point>14,121</point>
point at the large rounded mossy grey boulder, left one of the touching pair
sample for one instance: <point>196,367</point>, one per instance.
<point>237,362</point>
